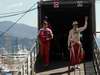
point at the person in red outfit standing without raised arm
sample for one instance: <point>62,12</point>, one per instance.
<point>45,36</point>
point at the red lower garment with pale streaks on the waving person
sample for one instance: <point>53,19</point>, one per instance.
<point>76,53</point>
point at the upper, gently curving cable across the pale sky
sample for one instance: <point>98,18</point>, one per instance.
<point>18,13</point>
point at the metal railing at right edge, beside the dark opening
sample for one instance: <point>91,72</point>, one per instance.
<point>96,56</point>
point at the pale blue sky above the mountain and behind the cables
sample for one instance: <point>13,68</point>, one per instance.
<point>30,18</point>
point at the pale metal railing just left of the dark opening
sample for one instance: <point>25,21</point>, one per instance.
<point>32,57</point>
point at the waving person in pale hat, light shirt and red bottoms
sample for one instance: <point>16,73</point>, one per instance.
<point>74,43</point>
